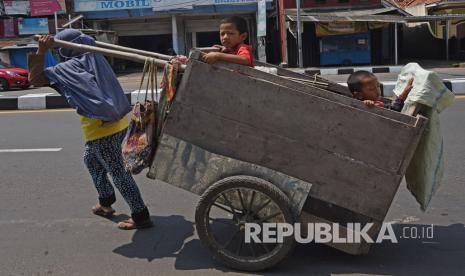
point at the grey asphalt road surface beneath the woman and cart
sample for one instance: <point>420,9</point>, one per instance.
<point>46,227</point>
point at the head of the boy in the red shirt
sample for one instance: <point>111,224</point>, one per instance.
<point>233,31</point>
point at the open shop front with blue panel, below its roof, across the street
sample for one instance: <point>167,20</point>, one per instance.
<point>338,39</point>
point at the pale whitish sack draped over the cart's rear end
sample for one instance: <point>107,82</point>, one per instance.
<point>426,169</point>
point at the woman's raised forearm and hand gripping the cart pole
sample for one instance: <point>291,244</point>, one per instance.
<point>35,61</point>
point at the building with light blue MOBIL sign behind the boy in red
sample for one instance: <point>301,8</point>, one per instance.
<point>167,26</point>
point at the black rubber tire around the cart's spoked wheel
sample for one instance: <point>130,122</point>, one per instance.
<point>258,184</point>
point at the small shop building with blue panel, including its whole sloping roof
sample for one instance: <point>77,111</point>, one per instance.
<point>338,43</point>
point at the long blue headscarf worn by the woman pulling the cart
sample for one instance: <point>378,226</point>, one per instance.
<point>88,81</point>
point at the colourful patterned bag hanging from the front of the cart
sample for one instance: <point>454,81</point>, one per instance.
<point>139,143</point>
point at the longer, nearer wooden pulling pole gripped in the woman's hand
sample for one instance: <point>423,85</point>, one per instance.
<point>106,52</point>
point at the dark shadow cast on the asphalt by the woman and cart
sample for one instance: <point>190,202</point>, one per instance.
<point>444,254</point>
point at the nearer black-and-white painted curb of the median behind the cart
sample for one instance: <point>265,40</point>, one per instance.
<point>49,101</point>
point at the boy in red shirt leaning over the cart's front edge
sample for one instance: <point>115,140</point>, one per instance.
<point>233,33</point>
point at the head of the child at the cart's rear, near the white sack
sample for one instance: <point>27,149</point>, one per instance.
<point>364,86</point>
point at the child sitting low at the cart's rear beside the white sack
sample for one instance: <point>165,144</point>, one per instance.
<point>366,87</point>
